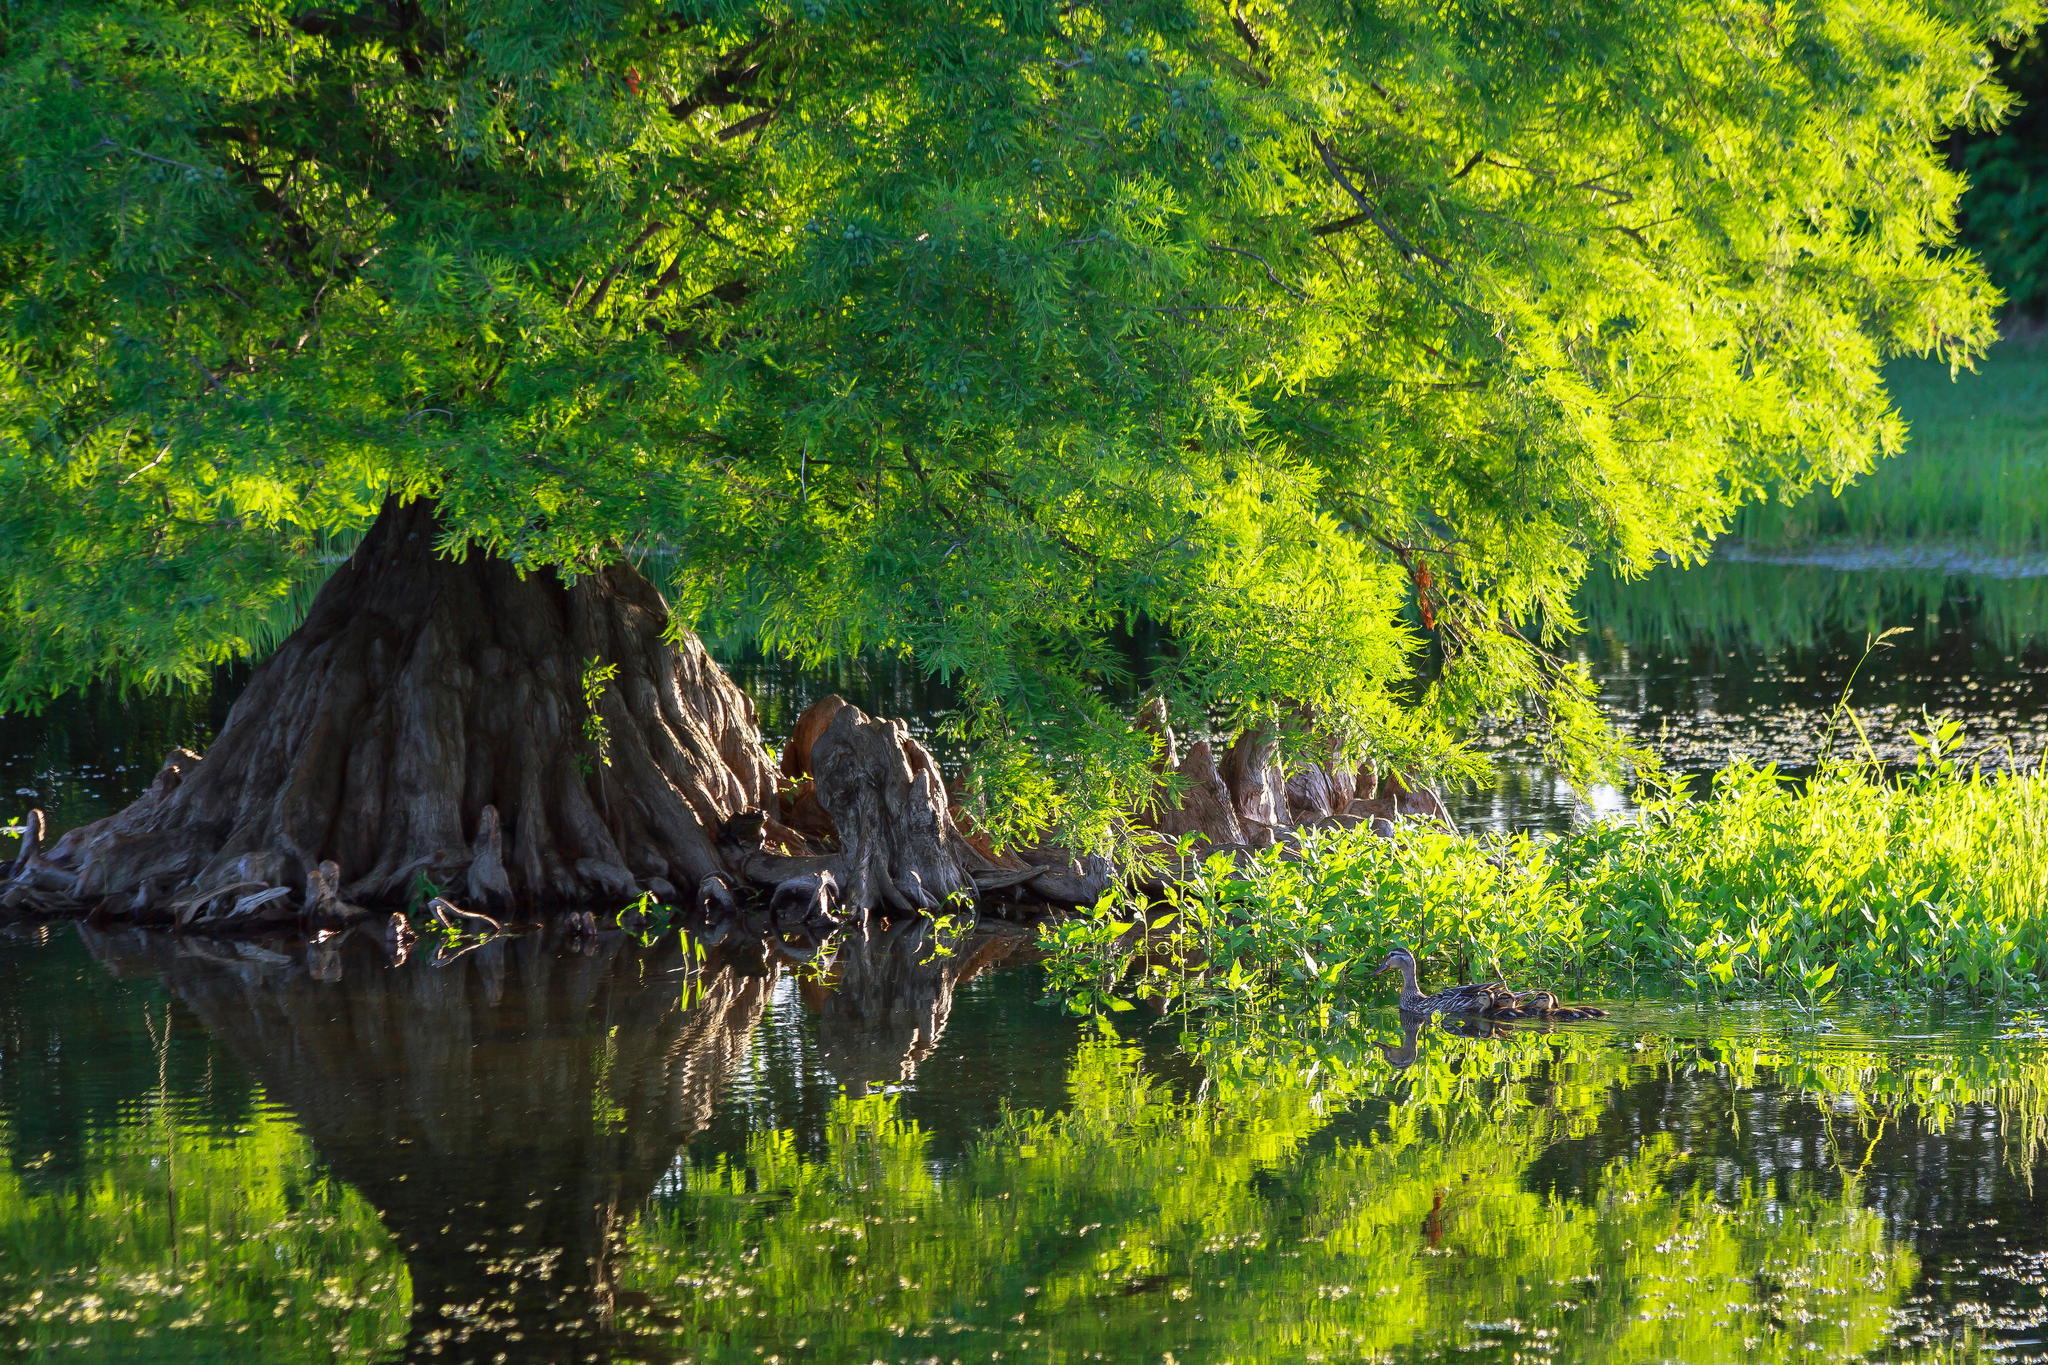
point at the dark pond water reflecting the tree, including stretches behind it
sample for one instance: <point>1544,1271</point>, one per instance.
<point>607,1151</point>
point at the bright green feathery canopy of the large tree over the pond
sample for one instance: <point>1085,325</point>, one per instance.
<point>1332,339</point>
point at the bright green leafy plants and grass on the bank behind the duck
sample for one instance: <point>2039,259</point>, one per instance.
<point>1852,883</point>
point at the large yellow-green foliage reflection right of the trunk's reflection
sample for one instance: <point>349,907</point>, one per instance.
<point>1136,1223</point>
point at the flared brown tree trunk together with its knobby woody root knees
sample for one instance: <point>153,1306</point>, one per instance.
<point>445,732</point>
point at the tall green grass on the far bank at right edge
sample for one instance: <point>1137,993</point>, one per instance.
<point>1975,468</point>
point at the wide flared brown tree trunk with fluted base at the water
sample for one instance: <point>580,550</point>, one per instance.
<point>431,725</point>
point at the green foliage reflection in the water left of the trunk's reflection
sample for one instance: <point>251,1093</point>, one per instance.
<point>181,1241</point>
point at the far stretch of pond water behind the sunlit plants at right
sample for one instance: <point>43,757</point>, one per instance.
<point>1748,662</point>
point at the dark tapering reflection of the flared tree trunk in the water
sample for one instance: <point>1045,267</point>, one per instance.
<point>505,1114</point>
